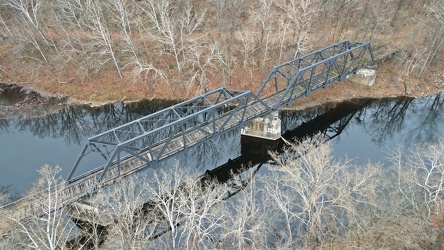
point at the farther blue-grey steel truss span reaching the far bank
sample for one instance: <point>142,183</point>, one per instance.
<point>305,74</point>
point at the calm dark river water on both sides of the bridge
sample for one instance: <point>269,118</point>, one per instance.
<point>363,130</point>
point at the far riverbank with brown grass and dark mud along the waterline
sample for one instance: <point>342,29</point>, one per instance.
<point>34,99</point>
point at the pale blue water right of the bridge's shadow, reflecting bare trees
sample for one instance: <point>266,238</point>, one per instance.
<point>390,123</point>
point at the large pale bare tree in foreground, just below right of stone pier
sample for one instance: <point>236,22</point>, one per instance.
<point>315,194</point>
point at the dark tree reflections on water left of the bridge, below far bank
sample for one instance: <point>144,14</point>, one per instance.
<point>76,123</point>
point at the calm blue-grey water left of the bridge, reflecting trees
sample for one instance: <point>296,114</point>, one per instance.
<point>27,144</point>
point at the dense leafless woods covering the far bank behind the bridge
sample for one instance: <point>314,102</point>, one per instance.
<point>189,46</point>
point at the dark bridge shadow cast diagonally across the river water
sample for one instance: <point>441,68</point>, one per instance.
<point>250,154</point>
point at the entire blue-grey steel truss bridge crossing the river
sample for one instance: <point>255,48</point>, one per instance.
<point>141,143</point>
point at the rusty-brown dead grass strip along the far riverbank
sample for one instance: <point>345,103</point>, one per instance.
<point>108,88</point>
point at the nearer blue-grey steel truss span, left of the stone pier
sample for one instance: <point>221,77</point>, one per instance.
<point>151,138</point>
